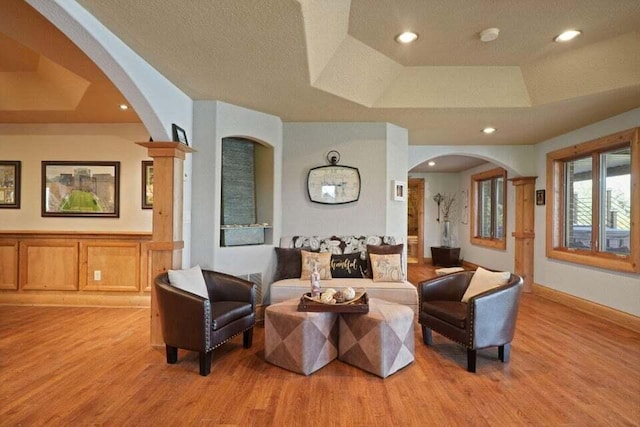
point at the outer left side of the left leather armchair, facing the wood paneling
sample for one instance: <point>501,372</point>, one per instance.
<point>185,318</point>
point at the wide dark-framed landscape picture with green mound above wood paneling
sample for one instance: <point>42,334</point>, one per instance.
<point>81,189</point>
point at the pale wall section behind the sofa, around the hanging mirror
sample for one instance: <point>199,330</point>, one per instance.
<point>361,145</point>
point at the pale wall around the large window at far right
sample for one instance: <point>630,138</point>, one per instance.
<point>613,289</point>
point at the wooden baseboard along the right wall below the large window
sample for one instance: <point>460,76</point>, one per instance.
<point>600,311</point>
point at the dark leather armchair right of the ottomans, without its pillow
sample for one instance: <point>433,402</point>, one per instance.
<point>486,320</point>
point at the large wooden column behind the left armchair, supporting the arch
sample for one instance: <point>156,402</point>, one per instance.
<point>165,249</point>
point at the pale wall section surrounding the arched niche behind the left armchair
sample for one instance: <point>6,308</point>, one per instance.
<point>214,121</point>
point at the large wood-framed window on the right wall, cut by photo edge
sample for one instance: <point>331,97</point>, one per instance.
<point>590,219</point>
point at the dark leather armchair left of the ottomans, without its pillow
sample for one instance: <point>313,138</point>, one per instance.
<point>190,322</point>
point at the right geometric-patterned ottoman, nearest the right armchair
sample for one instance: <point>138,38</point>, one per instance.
<point>381,341</point>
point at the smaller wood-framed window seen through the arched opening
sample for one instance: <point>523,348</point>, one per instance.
<point>488,215</point>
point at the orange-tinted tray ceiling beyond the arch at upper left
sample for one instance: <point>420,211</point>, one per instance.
<point>45,78</point>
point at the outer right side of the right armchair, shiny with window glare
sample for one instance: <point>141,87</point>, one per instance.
<point>494,314</point>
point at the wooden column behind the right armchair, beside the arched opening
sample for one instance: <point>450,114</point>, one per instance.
<point>525,228</point>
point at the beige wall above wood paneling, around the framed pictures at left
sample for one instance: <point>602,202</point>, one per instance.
<point>33,143</point>
